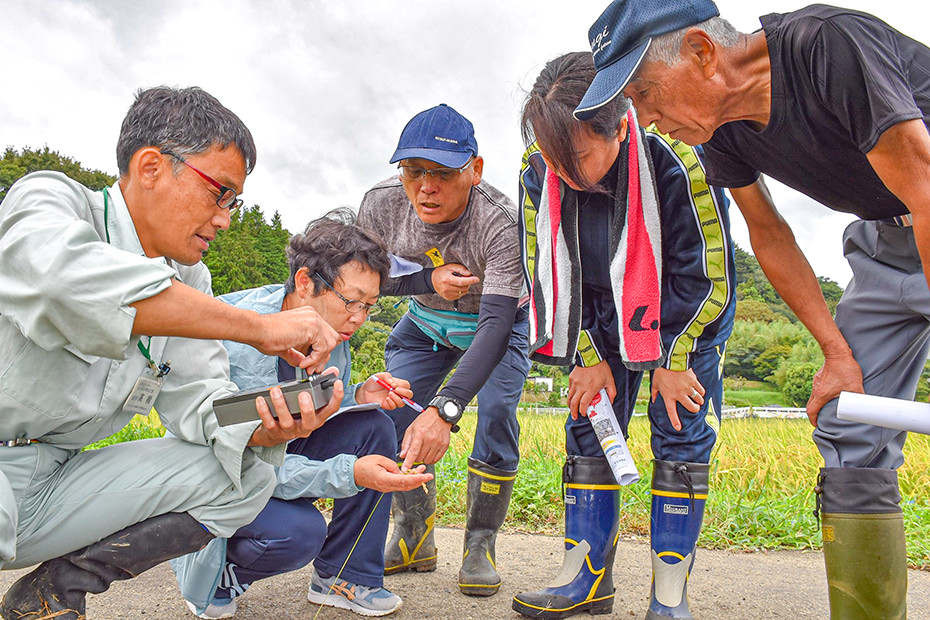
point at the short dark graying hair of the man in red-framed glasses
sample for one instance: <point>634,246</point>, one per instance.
<point>186,121</point>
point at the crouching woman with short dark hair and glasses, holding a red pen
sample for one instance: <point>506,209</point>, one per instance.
<point>336,269</point>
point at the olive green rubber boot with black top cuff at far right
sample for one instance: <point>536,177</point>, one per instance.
<point>863,543</point>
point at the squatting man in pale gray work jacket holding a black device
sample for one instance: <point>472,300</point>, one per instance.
<point>101,294</point>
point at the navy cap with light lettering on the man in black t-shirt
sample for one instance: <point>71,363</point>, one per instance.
<point>621,36</point>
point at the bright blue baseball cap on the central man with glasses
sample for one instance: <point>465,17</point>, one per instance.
<point>439,134</point>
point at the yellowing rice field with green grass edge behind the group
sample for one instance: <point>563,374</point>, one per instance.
<point>761,487</point>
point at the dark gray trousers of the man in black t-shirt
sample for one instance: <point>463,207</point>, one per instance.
<point>885,317</point>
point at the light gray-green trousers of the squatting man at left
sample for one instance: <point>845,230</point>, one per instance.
<point>54,501</point>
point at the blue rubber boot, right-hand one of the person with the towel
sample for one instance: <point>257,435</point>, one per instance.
<point>679,492</point>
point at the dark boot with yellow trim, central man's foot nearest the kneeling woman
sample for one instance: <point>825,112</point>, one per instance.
<point>412,545</point>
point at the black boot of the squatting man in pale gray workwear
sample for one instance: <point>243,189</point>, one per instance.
<point>57,588</point>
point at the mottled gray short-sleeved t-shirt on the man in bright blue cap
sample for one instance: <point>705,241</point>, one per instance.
<point>484,238</point>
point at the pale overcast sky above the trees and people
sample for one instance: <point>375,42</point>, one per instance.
<point>327,86</point>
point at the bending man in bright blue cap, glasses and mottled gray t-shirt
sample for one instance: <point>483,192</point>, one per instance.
<point>466,309</point>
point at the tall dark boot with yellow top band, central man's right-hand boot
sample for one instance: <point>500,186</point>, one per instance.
<point>489,491</point>
